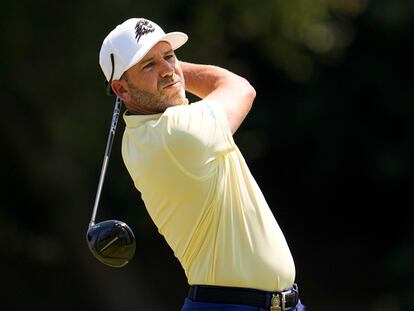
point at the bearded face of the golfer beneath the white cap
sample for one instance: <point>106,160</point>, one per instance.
<point>156,82</point>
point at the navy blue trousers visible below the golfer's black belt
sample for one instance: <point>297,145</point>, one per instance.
<point>190,305</point>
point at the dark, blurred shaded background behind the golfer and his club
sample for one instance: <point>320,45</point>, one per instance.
<point>329,140</point>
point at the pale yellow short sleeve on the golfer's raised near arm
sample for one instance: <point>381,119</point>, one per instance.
<point>195,135</point>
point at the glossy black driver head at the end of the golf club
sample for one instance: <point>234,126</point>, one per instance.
<point>112,242</point>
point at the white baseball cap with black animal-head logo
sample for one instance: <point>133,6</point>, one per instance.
<point>129,42</point>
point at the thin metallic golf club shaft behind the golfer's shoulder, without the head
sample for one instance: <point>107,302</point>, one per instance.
<point>108,148</point>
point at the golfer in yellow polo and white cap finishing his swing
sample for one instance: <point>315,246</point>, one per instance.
<point>192,177</point>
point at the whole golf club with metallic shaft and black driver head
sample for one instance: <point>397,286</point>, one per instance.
<point>112,242</point>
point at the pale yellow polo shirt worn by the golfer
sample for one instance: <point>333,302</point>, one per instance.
<point>202,197</point>
